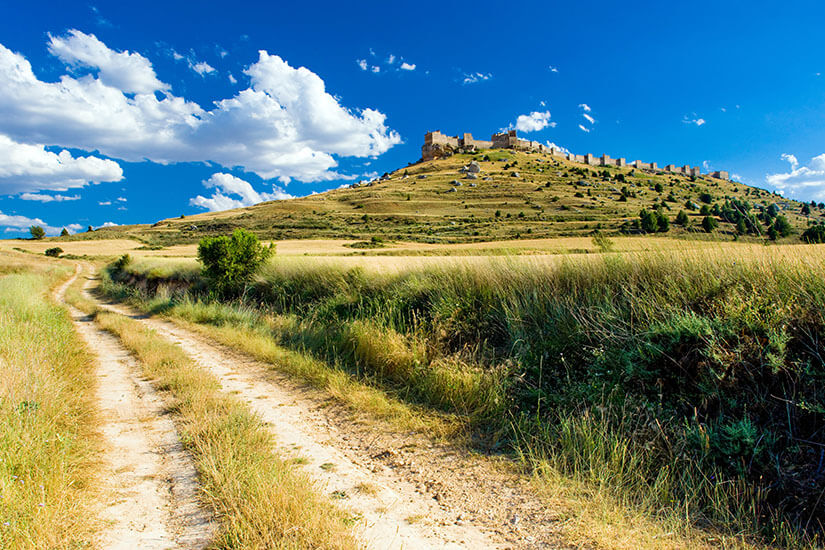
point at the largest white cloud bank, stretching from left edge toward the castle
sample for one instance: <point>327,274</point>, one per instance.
<point>285,125</point>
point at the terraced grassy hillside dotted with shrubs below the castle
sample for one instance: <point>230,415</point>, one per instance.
<point>516,195</point>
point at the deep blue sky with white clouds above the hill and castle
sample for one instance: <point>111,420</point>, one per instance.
<point>132,112</point>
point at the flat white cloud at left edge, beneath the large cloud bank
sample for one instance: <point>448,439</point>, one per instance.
<point>25,168</point>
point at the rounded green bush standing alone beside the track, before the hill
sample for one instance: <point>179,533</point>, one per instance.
<point>229,262</point>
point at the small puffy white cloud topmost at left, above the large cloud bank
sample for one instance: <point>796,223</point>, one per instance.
<point>129,72</point>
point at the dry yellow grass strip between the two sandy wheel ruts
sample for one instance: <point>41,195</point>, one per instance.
<point>260,500</point>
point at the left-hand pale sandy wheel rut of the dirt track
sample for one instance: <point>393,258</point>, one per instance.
<point>150,483</point>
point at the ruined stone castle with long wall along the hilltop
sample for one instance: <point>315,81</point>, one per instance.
<point>438,145</point>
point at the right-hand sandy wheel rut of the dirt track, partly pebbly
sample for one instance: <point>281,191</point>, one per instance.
<point>410,492</point>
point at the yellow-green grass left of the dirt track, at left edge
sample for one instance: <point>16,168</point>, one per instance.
<point>48,442</point>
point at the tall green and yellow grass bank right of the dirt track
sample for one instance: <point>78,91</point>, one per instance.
<point>691,383</point>
